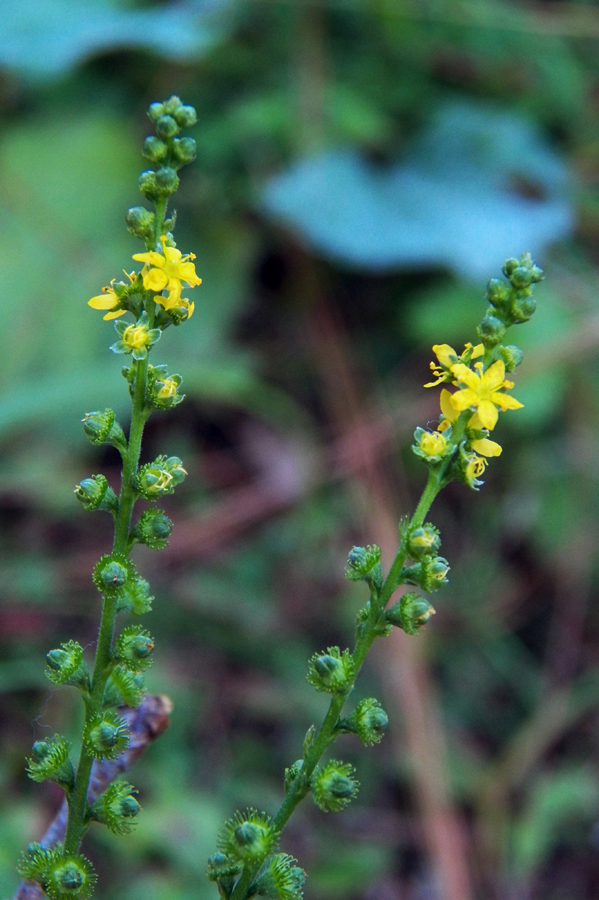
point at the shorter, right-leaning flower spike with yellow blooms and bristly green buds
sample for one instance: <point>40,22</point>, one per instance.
<point>246,862</point>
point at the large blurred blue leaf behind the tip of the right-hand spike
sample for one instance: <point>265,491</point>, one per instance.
<point>453,201</point>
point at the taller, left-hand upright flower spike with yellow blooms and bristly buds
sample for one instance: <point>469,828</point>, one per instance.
<point>153,297</point>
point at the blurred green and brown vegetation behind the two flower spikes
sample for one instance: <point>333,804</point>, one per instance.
<point>297,313</point>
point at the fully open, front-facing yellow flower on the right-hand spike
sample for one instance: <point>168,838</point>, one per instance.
<point>482,392</point>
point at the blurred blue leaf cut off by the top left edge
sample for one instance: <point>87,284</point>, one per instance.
<point>47,37</point>
